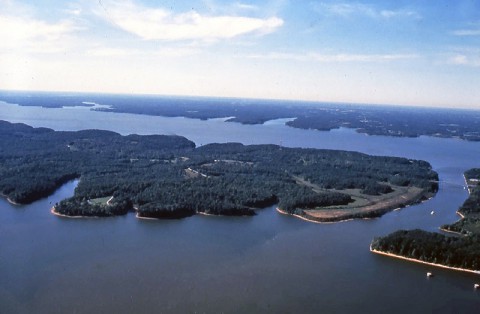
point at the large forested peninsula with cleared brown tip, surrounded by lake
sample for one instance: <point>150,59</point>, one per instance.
<point>160,176</point>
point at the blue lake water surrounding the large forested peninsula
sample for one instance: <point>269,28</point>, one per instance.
<point>267,263</point>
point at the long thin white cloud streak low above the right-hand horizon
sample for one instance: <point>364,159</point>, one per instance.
<point>336,58</point>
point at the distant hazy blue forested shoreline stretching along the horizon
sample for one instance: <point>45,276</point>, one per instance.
<point>373,120</point>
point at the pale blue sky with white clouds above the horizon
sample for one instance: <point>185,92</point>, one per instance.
<point>424,52</point>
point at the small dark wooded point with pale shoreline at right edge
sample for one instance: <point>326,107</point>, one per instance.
<point>460,251</point>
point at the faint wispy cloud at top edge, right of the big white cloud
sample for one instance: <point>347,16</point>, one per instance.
<point>360,9</point>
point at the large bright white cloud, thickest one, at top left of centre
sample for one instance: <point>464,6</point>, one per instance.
<point>161,24</point>
